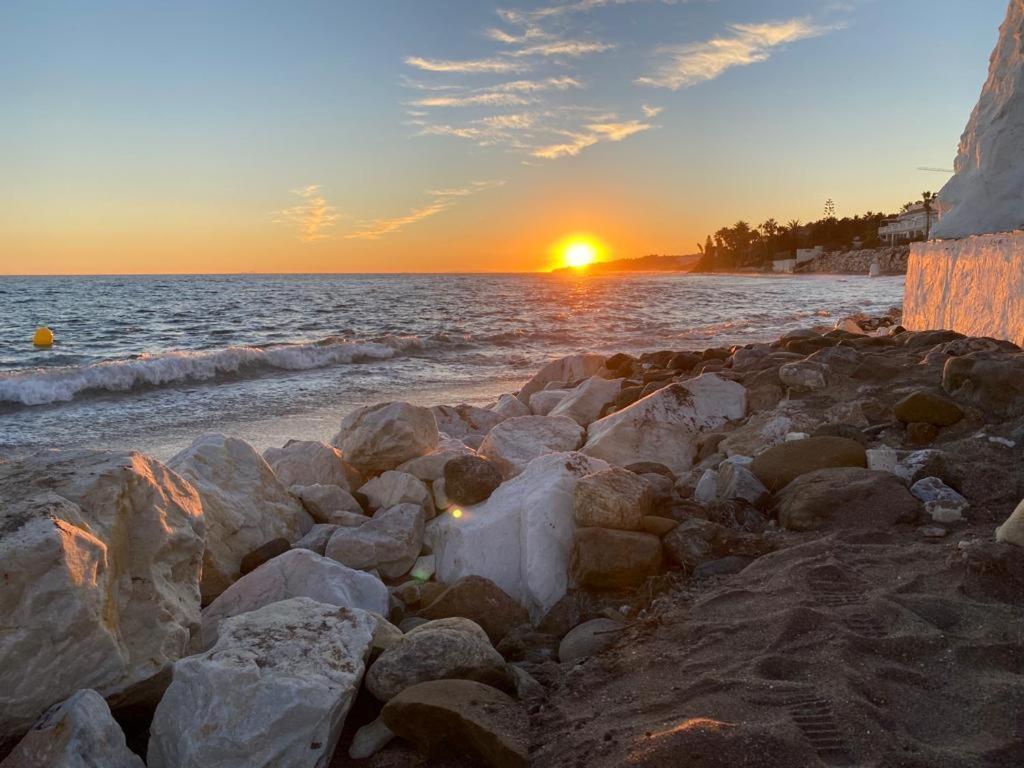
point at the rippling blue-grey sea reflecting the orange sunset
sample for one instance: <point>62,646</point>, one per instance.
<point>152,363</point>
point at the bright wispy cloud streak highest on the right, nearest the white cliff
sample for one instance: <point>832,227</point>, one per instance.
<point>747,45</point>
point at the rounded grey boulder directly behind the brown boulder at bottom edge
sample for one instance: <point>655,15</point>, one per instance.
<point>440,650</point>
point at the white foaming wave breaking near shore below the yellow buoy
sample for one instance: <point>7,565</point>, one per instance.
<point>42,387</point>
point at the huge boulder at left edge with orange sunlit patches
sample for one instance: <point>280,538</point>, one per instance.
<point>101,556</point>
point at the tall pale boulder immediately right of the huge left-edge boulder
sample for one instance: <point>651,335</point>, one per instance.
<point>244,504</point>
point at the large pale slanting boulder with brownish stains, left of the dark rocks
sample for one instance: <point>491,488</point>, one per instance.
<point>664,426</point>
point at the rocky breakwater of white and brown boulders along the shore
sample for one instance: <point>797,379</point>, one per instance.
<point>436,579</point>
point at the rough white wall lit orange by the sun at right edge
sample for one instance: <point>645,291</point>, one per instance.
<point>974,286</point>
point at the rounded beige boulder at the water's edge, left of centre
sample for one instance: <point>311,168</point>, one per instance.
<point>379,438</point>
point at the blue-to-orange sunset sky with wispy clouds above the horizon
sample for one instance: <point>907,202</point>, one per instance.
<point>460,136</point>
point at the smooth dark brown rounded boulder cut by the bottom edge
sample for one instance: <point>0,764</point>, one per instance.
<point>462,718</point>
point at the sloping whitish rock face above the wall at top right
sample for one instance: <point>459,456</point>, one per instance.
<point>985,195</point>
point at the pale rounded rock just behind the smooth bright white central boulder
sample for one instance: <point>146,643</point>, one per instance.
<point>516,443</point>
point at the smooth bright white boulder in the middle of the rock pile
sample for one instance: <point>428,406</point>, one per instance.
<point>522,537</point>
